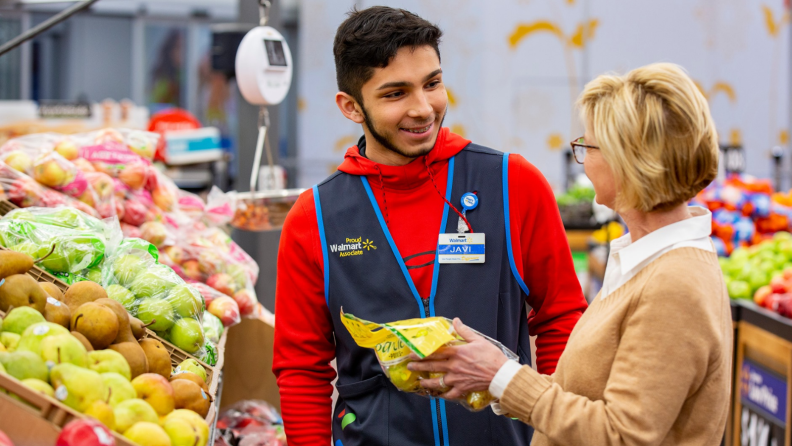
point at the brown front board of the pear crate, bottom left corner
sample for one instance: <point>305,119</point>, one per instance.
<point>38,419</point>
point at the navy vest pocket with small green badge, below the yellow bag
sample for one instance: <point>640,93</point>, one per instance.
<point>368,402</point>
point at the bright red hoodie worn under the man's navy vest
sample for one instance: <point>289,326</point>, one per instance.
<point>408,199</point>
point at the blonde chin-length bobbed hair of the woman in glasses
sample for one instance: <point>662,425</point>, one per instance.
<point>654,129</point>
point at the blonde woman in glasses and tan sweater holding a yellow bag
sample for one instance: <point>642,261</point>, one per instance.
<point>649,363</point>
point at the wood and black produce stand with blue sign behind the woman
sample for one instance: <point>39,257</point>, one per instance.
<point>762,377</point>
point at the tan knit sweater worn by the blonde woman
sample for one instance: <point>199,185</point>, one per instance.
<point>648,365</point>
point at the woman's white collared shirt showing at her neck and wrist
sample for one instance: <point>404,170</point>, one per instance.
<point>627,259</point>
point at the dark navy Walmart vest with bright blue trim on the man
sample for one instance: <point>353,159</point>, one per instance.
<point>373,283</point>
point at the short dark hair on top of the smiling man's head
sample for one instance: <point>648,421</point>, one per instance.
<point>370,38</point>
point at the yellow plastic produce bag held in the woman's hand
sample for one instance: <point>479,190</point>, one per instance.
<point>393,342</point>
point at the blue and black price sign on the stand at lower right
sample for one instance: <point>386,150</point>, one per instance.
<point>763,395</point>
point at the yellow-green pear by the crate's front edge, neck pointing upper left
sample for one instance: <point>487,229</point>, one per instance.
<point>76,387</point>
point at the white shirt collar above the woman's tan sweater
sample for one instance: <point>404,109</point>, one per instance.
<point>633,254</point>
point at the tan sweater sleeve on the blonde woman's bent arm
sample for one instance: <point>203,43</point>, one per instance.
<point>668,342</point>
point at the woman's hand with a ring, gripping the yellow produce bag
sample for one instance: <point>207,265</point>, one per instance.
<point>469,368</point>
